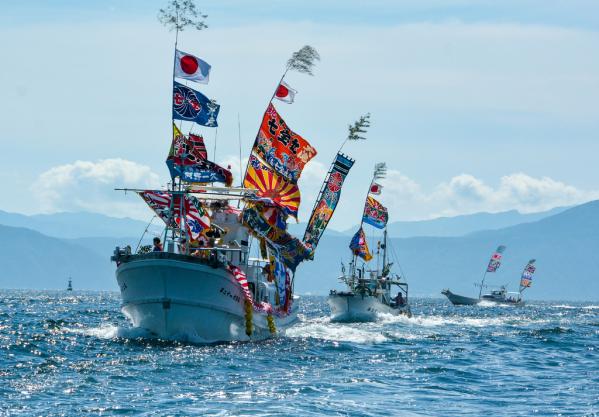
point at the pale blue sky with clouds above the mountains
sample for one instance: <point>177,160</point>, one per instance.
<point>476,105</point>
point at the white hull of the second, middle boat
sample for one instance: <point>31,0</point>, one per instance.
<point>349,307</point>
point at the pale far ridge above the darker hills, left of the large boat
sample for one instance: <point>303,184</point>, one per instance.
<point>75,225</point>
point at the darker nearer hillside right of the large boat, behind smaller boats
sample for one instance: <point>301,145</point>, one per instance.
<point>565,246</point>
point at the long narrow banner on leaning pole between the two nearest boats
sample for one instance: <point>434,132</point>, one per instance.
<point>327,200</point>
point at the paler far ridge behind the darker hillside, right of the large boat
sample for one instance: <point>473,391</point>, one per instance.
<point>463,225</point>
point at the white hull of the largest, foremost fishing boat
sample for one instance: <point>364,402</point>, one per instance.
<point>181,300</point>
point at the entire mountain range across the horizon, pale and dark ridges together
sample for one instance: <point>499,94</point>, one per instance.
<point>564,242</point>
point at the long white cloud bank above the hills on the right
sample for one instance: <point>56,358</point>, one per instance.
<point>464,194</point>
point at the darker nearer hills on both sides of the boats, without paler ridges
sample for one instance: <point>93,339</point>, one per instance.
<point>565,246</point>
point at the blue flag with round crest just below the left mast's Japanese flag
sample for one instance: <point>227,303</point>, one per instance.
<point>193,106</point>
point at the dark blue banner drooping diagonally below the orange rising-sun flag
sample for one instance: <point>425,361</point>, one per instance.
<point>292,250</point>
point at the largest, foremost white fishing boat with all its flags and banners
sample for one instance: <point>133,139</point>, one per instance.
<point>202,284</point>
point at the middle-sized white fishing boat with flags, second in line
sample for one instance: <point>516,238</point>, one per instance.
<point>370,292</point>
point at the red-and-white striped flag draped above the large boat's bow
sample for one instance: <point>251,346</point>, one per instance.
<point>196,216</point>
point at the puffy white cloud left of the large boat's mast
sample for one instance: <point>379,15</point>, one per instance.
<point>89,186</point>
